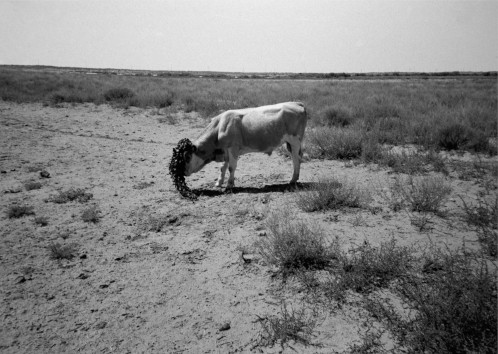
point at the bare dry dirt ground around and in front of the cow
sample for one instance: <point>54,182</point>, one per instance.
<point>194,285</point>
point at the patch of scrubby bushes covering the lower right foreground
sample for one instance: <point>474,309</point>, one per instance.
<point>446,299</point>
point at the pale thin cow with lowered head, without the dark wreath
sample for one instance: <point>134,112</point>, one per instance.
<point>237,132</point>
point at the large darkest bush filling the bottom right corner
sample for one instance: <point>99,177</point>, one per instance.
<point>452,306</point>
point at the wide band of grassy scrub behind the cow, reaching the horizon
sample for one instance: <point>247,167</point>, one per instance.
<point>450,113</point>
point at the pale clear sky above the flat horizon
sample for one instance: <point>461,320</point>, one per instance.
<point>252,36</point>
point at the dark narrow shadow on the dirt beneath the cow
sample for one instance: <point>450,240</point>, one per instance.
<point>268,188</point>
